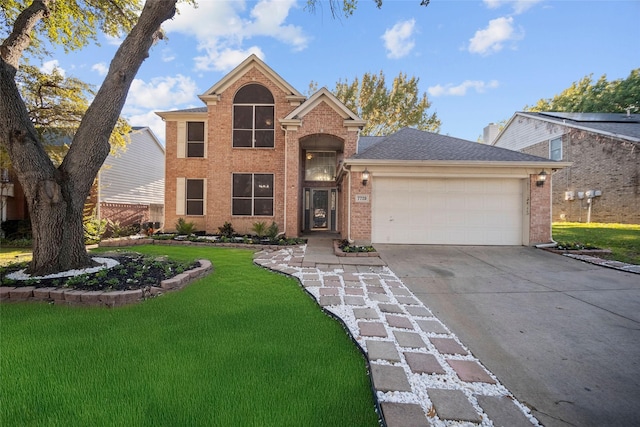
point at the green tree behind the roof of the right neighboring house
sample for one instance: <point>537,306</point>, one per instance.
<point>600,96</point>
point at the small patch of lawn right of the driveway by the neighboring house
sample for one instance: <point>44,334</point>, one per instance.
<point>622,239</point>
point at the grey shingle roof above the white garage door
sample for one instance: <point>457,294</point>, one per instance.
<point>413,144</point>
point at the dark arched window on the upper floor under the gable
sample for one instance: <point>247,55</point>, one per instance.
<point>253,117</point>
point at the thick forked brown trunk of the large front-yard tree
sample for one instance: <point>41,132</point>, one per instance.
<point>56,196</point>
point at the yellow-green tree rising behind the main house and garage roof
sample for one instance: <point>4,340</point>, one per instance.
<point>387,110</point>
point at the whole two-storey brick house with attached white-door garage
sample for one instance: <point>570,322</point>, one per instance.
<point>259,151</point>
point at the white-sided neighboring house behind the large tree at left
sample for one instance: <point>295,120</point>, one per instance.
<point>130,184</point>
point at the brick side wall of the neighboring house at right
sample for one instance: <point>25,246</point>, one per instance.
<point>599,163</point>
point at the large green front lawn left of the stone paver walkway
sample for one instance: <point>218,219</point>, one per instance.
<point>241,347</point>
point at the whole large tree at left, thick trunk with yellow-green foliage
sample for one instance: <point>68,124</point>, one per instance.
<point>55,193</point>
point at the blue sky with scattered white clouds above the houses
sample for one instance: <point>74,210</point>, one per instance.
<point>478,61</point>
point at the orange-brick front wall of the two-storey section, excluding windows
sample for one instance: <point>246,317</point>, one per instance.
<point>321,126</point>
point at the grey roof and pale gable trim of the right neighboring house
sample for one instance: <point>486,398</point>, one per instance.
<point>617,125</point>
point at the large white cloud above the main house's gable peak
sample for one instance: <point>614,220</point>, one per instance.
<point>223,27</point>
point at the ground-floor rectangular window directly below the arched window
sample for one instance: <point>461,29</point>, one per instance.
<point>252,194</point>
